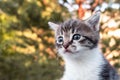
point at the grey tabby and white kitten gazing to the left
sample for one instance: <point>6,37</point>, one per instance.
<point>77,43</point>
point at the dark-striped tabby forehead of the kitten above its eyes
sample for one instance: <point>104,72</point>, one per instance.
<point>75,25</point>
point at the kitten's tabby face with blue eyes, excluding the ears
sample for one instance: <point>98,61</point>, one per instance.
<point>73,36</point>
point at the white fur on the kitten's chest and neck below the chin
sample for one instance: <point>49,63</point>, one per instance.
<point>87,67</point>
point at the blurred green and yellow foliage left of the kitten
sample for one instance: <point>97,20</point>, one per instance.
<point>23,32</point>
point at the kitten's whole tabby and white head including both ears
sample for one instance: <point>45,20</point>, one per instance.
<point>76,36</point>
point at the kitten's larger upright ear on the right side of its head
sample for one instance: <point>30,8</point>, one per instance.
<point>93,21</point>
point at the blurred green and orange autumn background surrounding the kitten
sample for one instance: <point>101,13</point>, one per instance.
<point>27,49</point>
